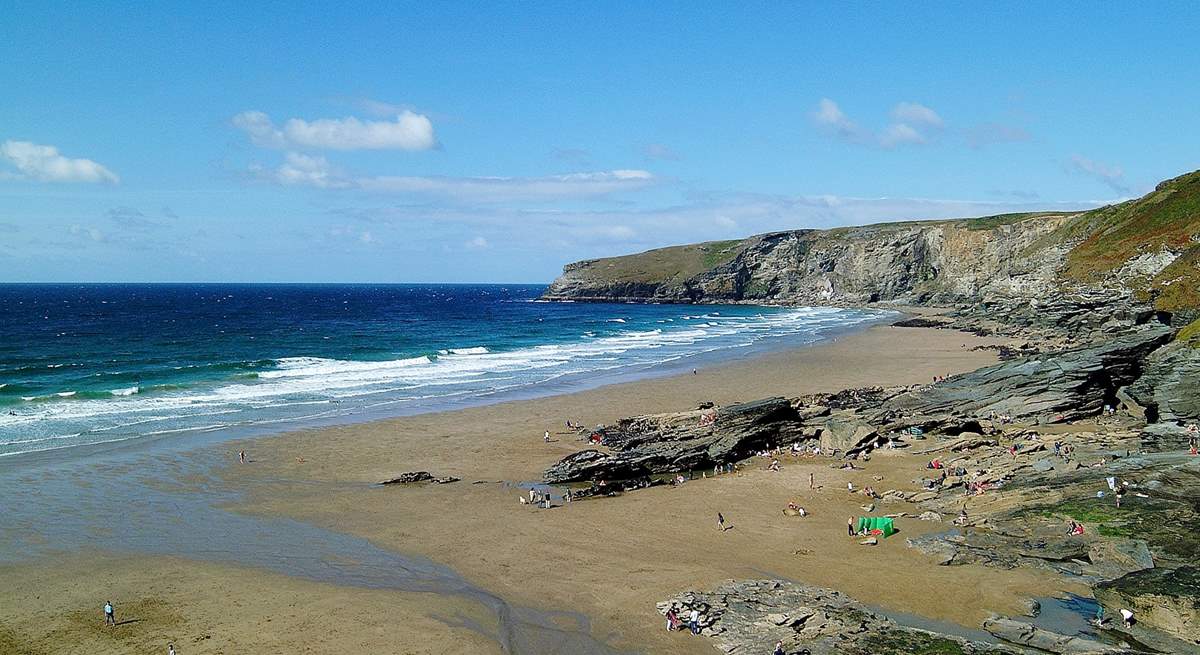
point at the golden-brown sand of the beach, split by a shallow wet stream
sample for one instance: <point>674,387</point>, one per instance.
<point>609,560</point>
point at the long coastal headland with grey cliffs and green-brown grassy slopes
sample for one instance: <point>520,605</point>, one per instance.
<point>1148,249</point>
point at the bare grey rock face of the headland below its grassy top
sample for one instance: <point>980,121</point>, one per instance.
<point>913,262</point>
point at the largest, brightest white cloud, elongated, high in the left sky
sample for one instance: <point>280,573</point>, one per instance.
<point>409,131</point>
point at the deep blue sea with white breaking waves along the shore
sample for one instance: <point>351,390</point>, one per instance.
<point>91,364</point>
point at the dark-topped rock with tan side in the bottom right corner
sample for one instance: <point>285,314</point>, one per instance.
<point>1166,599</point>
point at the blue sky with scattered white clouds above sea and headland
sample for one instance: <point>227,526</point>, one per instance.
<point>460,143</point>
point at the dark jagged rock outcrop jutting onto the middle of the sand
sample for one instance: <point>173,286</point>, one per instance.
<point>669,443</point>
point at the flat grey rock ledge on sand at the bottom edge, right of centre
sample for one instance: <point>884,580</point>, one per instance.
<point>748,617</point>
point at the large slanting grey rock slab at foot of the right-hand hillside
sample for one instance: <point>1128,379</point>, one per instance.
<point>1067,386</point>
